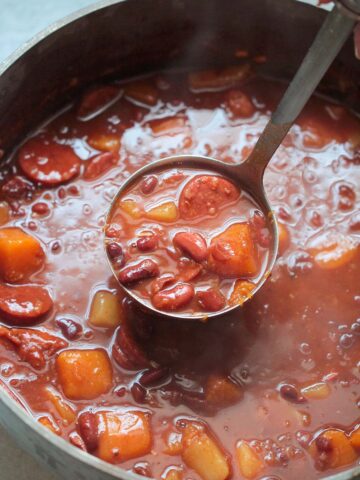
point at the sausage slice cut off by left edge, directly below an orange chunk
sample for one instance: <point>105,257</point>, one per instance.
<point>23,305</point>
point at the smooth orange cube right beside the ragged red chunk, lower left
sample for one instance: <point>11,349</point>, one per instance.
<point>84,374</point>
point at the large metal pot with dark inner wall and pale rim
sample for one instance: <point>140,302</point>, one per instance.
<point>127,38</point>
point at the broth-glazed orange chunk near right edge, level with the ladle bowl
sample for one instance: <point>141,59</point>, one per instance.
<point>332,250</point>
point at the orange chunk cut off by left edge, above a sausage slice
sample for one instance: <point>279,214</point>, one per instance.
<point>21,254</point>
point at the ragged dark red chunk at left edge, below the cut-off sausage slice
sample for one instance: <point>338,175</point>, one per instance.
<point>32,346</point>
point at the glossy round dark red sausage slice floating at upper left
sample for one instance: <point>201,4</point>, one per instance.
<point>47,162</point>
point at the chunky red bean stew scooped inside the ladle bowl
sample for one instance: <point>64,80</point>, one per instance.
<point>189,240</point>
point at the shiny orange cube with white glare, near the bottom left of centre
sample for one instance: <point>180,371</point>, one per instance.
<point>123,436</point>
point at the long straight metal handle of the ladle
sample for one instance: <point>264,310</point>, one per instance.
<point>331,37</point>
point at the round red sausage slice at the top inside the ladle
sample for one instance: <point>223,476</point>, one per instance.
<point>205,195</point>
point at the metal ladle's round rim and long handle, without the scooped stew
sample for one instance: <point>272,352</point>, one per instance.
<point>248,175</point>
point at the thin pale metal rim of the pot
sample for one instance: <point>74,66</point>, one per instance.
<point>116,471</point>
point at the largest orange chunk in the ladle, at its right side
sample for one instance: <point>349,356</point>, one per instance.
<point>233,253</point>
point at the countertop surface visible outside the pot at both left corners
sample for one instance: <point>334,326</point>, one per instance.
<point>19,21</point>
